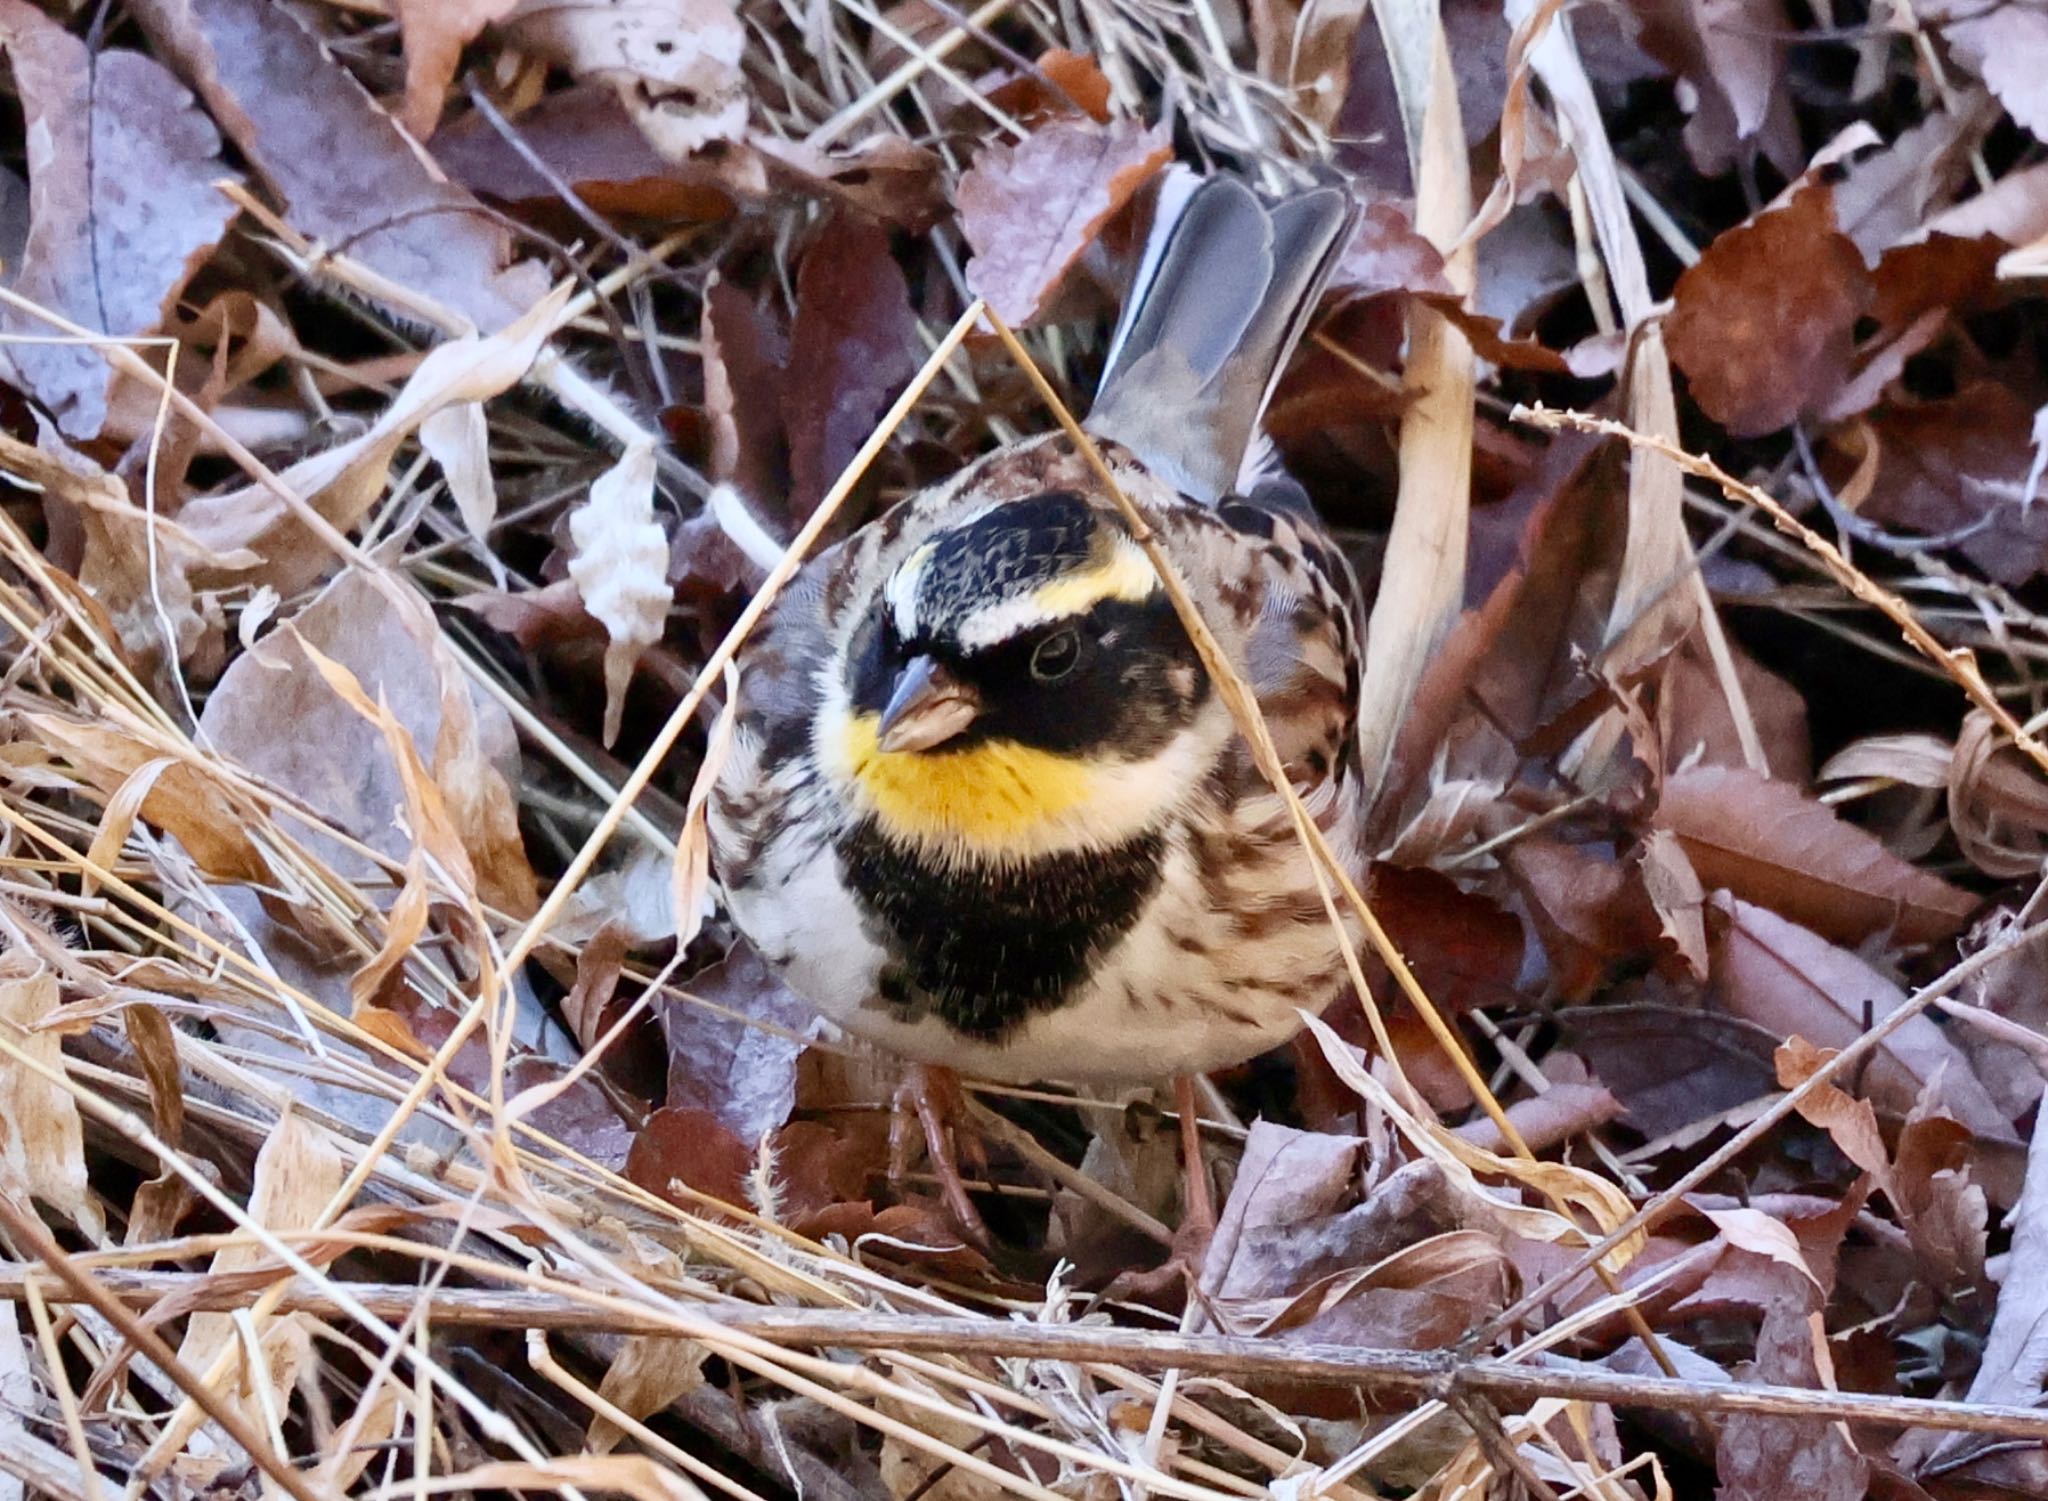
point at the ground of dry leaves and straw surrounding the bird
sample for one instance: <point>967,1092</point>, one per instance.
<point>407,409</point>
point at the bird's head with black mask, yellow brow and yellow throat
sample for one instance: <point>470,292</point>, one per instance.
<point>1021,685</point>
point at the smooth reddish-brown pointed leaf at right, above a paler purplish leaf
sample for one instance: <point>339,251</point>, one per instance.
<point>1770,845</point>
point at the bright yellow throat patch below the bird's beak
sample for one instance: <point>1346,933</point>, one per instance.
<point>992,796</point>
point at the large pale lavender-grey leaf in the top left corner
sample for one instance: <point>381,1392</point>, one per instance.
<point>122,206</point>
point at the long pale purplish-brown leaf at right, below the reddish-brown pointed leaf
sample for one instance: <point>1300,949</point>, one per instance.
<point>1795,984</point>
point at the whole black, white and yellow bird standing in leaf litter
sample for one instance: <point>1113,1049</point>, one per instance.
<point>984,806</point>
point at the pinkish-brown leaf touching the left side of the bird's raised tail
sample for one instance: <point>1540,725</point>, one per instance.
<point>1033,208</point>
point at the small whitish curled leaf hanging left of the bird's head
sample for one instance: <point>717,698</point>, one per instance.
<point>622,570</point>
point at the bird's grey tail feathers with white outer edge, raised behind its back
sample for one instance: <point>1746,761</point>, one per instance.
<point>1224,294</point>
